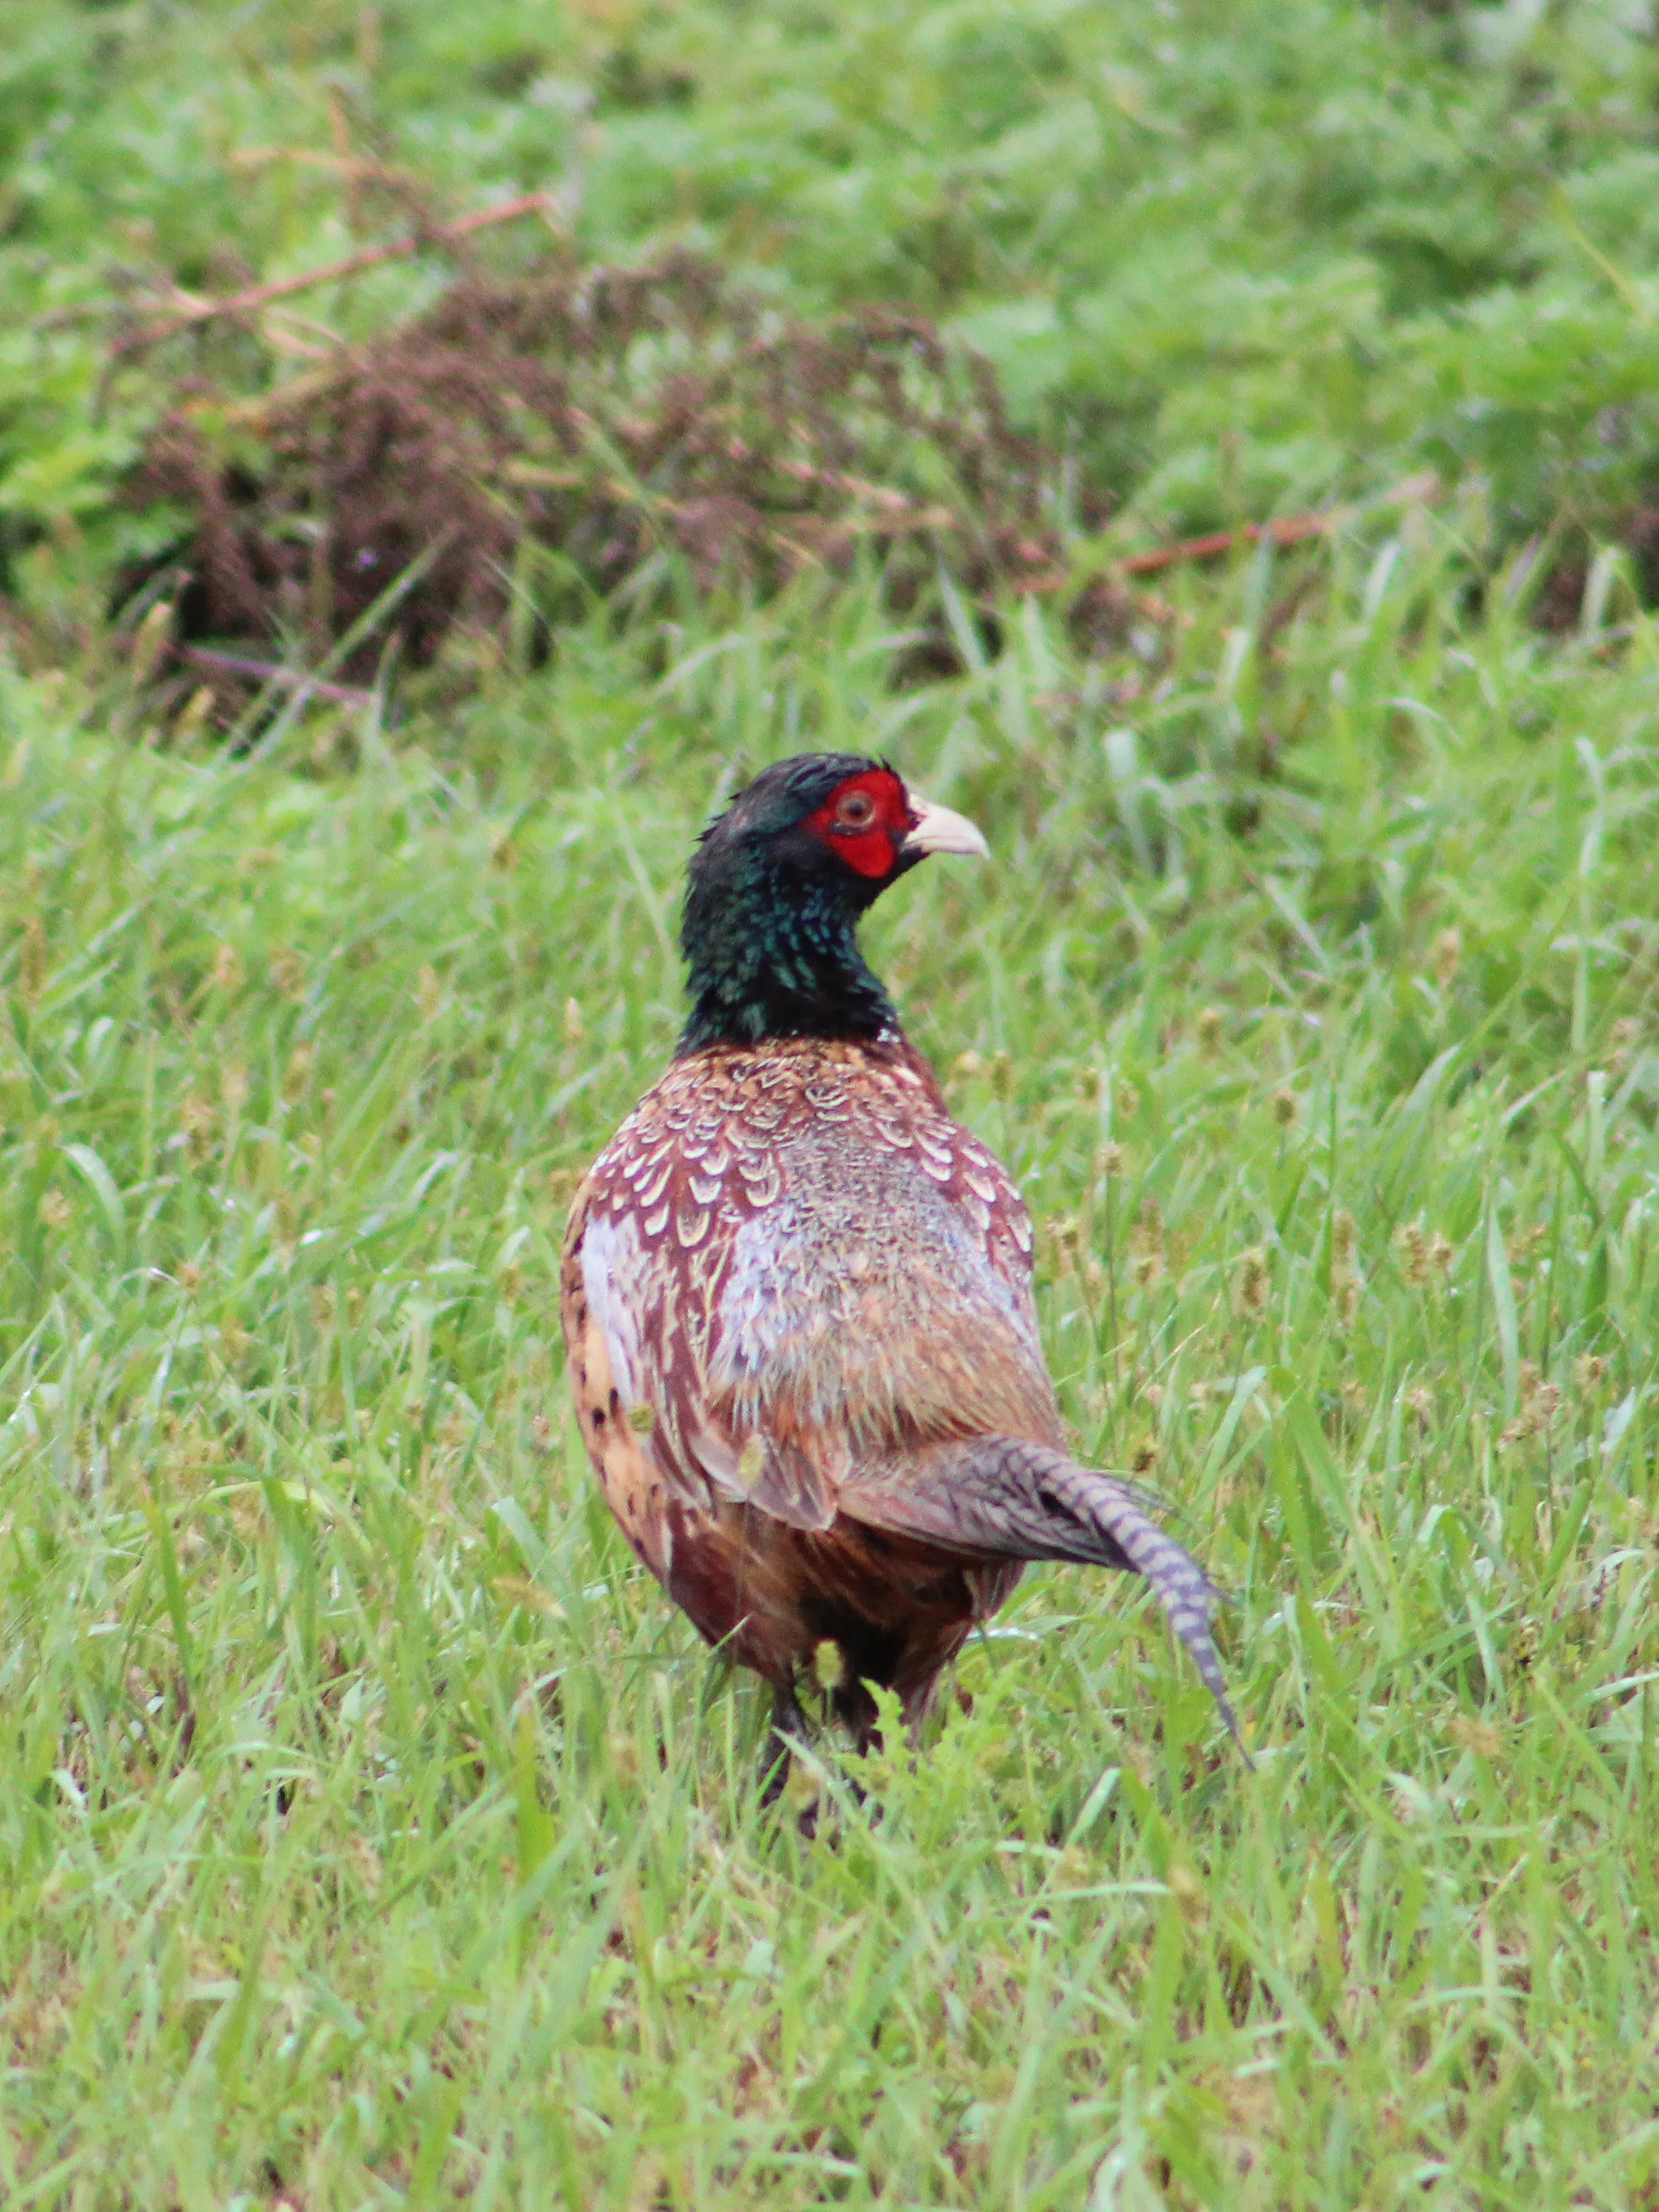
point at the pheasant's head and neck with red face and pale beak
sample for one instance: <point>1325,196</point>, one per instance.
<point>778,888</point>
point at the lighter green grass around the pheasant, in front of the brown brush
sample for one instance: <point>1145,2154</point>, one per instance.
<point>371,1828</point>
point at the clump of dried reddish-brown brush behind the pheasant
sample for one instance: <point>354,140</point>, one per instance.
<point>605,421</point>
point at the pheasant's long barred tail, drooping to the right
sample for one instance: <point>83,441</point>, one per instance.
<point>1016,1501</point>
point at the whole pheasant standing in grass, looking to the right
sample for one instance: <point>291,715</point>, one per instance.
<point>797,1295</point>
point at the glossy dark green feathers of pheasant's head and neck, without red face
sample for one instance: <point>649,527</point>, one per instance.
<point>771,926</point>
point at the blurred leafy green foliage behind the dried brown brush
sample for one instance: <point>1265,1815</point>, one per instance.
<point>1229,258</point>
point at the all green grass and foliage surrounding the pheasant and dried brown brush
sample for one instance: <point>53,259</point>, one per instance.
<point>371,1828</point>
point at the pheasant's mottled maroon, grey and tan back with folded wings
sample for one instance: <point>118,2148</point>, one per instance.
<point>795,1266</point>
